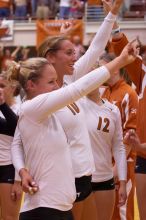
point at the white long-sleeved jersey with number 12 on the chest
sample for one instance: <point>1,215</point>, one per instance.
<point>106,136</point>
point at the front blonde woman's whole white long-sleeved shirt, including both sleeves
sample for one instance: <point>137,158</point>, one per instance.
<point>47,154</point>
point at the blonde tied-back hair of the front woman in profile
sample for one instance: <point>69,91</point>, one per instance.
<point>30,69</point>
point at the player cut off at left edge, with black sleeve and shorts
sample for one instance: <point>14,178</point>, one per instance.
<point>10,190</point>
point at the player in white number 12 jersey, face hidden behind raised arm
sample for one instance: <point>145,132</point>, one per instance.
<point>106,136</point>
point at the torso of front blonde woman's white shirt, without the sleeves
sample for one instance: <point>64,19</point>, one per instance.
<point>47,156</point>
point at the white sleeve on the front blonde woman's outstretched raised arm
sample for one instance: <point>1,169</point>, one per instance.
<point>44,105</point>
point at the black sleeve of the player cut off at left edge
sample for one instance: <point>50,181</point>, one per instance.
<point>8,124</point>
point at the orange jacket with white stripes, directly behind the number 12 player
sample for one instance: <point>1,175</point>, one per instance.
<point>126,99</point>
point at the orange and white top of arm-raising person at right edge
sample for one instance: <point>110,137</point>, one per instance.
<point>138,75</point>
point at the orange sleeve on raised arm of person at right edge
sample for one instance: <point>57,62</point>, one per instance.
<point>134,69</point>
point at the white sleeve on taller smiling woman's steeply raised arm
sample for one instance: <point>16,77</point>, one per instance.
<point>96,48</point>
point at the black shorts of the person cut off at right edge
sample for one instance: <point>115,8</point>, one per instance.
<point>140,166</point>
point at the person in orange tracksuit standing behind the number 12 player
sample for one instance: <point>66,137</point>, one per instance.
<point>121,94</point>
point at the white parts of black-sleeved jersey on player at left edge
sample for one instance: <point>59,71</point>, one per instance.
<point>5,143</point>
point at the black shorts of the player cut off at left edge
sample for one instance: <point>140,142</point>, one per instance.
<point>7,174</point>
